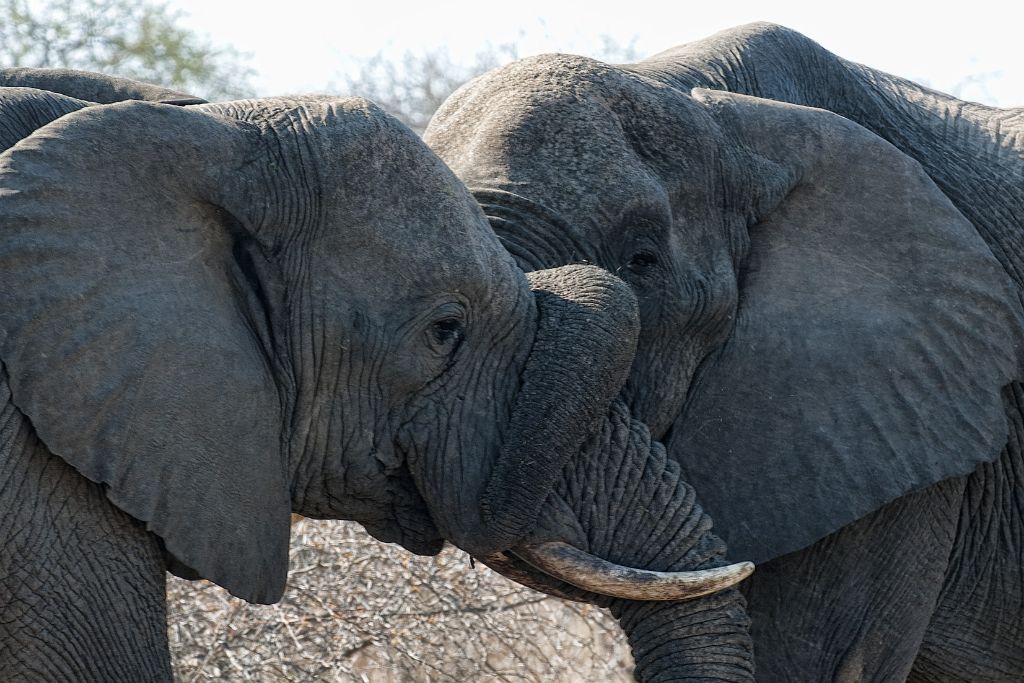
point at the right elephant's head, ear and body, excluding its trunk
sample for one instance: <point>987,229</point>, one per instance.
<point>828,262</point>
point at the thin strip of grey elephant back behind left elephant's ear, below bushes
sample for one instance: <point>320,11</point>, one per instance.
<point>92,87</point>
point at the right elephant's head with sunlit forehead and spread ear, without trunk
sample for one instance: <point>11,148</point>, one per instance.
<point>822,330</point>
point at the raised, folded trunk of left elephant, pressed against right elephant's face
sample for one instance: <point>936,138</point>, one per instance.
<point>583,349</point>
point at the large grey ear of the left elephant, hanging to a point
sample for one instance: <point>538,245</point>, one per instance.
<point>134,332</point>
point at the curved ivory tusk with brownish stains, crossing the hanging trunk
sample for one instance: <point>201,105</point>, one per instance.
<point>588,573</point>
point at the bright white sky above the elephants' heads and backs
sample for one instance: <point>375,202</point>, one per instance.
<point>300,47</point>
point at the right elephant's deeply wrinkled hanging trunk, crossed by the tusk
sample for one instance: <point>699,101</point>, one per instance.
<point>621,499</point>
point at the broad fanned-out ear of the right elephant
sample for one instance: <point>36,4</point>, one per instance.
<point>874,336</point>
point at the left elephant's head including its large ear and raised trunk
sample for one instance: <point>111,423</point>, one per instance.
<point>228,313</point>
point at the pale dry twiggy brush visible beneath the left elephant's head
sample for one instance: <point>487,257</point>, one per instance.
<point>357,610</point>
